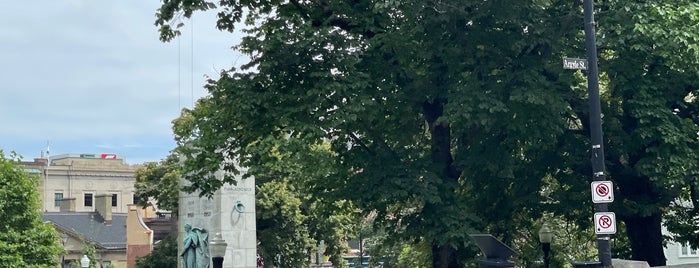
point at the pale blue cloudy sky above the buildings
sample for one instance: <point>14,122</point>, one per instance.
<point>86,76</point>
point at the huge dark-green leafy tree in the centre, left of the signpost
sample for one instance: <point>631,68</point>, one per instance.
<point>435,111</point>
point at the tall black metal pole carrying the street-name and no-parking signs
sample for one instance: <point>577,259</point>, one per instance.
<point>603,243</point>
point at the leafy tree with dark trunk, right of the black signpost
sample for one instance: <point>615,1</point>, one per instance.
<point>650,55</point>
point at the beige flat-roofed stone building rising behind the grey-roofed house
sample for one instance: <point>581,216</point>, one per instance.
<point>83,177</point>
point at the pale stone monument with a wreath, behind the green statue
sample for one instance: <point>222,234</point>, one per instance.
<point>231,211</point>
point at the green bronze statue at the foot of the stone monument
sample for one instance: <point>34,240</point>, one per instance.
<point>195,248</point>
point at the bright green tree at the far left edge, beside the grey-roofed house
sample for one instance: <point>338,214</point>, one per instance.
<point>25,241</point>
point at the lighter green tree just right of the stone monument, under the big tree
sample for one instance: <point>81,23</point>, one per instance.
<point>292,217</point>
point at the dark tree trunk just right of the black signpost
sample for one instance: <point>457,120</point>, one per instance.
<point>646,238</point>
